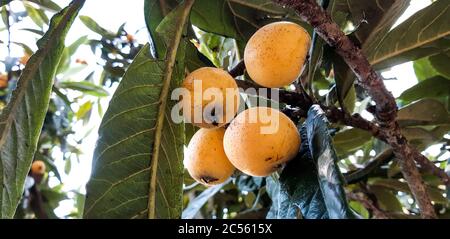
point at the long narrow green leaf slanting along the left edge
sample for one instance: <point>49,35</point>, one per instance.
<point>21,121</point>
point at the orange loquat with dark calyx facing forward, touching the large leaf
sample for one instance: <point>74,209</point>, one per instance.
<point>210,89</point>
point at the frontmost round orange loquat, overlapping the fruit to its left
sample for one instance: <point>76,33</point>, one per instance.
<point>257,153</point>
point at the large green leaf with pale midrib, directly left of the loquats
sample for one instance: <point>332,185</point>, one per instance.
<point>137,167</point>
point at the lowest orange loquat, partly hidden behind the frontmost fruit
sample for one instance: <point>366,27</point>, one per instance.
<point>206,161</point>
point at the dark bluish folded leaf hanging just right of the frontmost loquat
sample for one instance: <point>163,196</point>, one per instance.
<point>311,185</point>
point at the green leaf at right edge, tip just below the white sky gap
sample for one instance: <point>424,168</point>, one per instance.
<point>435,88</point>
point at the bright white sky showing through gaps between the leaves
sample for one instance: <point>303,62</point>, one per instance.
<point>111,14</point>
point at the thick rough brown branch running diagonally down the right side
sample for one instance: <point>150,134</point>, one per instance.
<point>386,108</point>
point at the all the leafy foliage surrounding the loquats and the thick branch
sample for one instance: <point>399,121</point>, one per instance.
<point>137,167</point>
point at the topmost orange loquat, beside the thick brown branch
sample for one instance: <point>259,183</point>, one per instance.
<point>275,54</point>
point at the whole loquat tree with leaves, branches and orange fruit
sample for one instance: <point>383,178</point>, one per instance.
<point>342,144</point>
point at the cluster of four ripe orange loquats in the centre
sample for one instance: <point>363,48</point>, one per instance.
<point>274,57</point>
